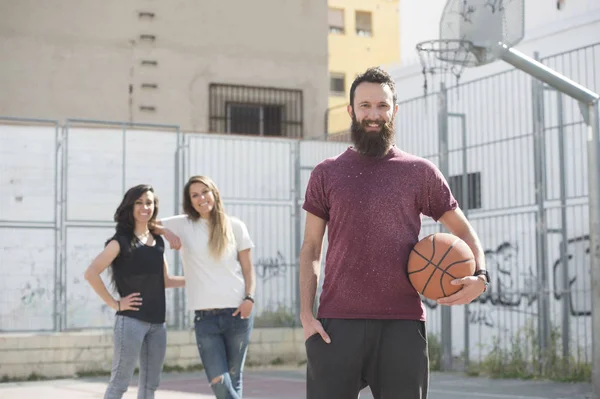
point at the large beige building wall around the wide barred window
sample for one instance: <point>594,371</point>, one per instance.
<point>83,59</point>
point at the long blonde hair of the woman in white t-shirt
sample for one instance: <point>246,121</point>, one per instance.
<point>220,235</point>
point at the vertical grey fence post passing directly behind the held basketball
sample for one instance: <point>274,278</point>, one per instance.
<point>443,166</point>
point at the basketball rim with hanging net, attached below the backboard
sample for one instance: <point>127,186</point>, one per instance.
<point>443,57</point>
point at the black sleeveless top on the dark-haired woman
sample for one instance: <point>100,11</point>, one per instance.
<point>140,268</point>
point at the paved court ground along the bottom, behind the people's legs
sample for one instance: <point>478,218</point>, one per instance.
<point>289,383</point>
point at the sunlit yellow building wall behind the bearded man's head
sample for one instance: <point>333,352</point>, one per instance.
<point>351,54</point>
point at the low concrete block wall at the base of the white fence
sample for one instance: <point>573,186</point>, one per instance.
<point>66,354</point>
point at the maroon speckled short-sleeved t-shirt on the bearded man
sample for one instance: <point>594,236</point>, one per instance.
<point>373,211</point>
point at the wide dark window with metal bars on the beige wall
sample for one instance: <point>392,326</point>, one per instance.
<point>261,111</point>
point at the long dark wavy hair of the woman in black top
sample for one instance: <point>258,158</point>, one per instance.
<point>126,222</point>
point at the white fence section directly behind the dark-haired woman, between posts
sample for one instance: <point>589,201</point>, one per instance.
<point>102,161</point>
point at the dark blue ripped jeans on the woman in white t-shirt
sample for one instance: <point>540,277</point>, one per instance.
<point>223,343</point>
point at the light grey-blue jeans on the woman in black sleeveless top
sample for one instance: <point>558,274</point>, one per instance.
<point>135,339</point>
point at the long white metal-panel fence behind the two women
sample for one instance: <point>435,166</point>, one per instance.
<point>63,184</point>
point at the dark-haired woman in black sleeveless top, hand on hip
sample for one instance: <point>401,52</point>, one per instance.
<point>140,275</point>
